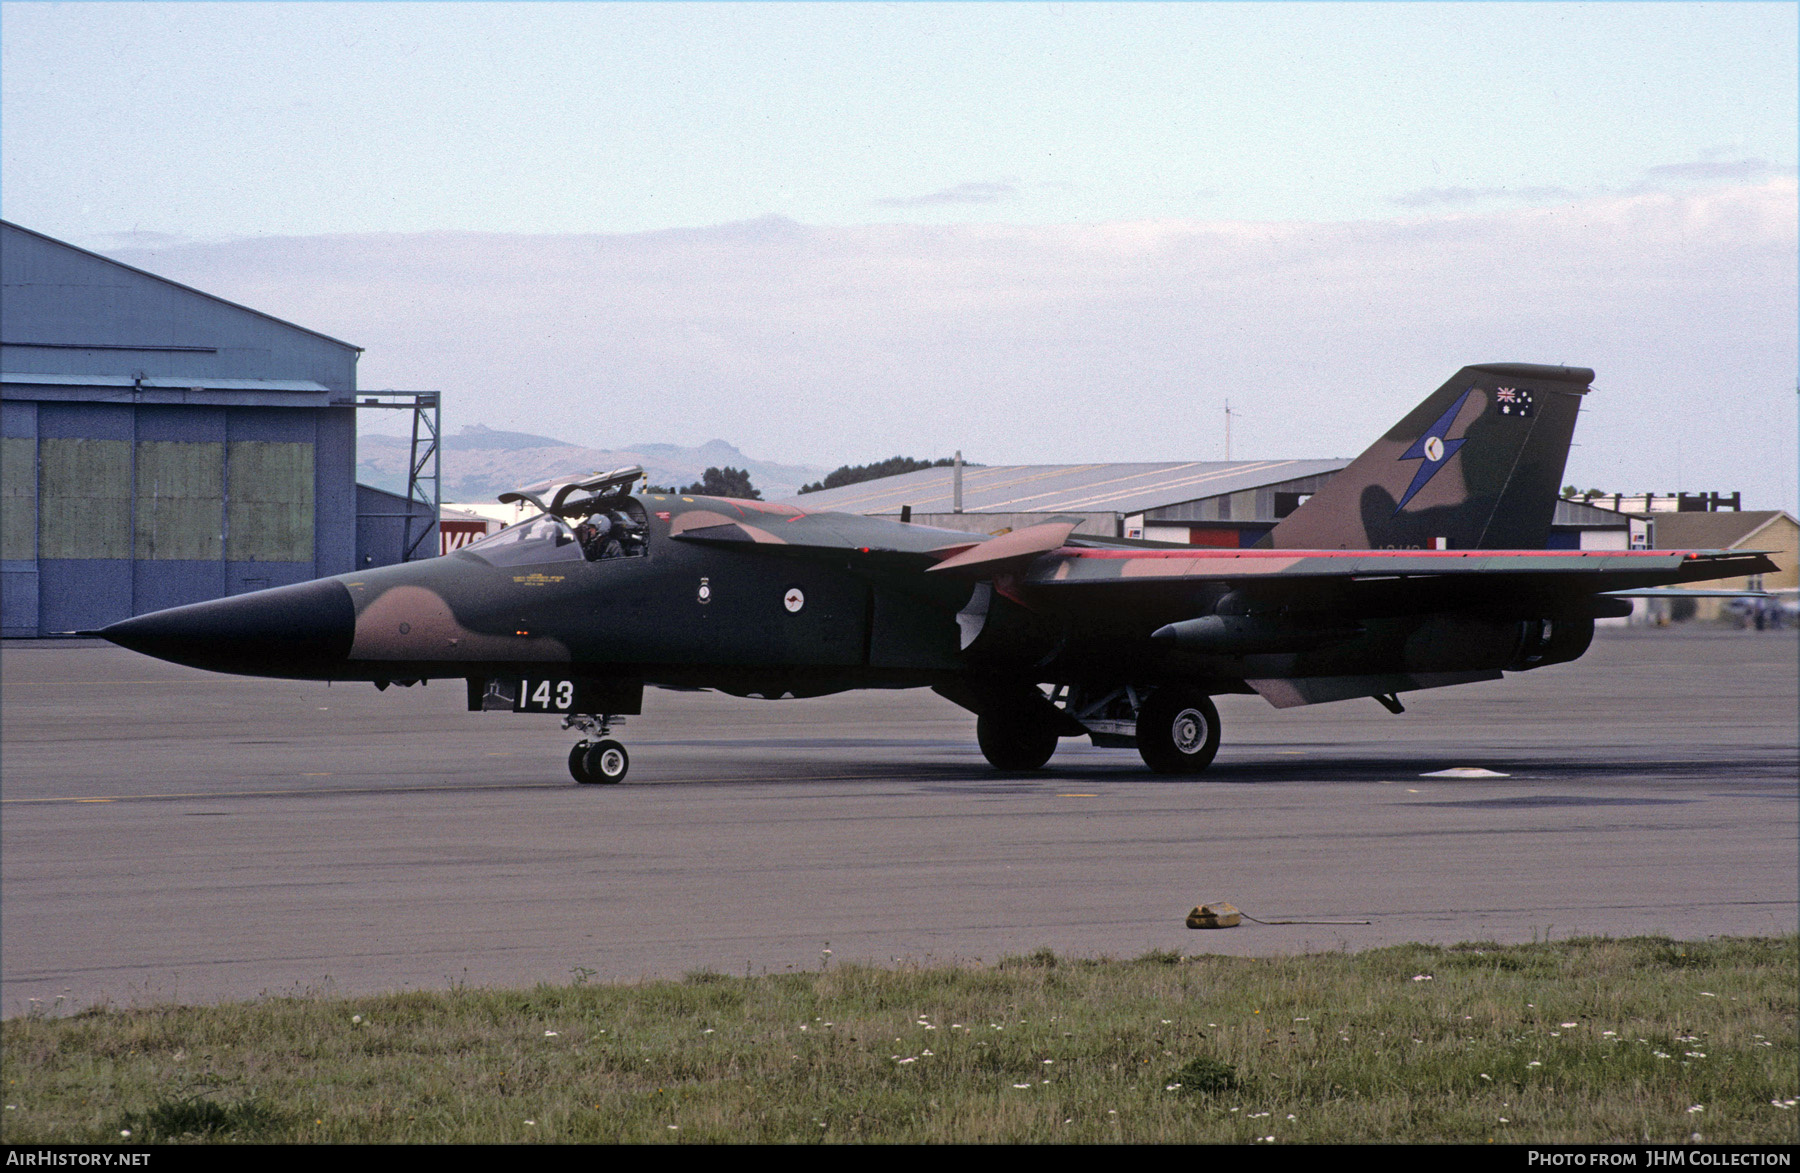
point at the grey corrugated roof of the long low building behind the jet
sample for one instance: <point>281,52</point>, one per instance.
<point>1054,488</point>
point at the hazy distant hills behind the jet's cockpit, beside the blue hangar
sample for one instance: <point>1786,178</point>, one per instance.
<point>481,463</point>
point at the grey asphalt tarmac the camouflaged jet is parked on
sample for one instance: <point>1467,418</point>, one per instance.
<point>177,836</point>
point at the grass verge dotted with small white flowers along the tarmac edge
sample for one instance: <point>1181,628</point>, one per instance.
<point>1590,1041</point>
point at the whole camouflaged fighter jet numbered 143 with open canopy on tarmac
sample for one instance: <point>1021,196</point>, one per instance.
<point>1419,566</point>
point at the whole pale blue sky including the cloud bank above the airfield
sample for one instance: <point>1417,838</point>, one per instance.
<point>1032,231</point>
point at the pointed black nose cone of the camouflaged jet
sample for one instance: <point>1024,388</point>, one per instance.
<point>301,631</point>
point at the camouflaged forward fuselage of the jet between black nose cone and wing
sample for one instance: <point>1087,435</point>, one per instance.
<point>748,614</point>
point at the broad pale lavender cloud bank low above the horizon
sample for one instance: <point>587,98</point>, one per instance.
<point>1081,341</point>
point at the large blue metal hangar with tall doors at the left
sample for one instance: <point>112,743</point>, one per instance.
<point>161,445</point>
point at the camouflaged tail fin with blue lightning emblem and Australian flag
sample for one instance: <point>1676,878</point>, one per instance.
<point>1475,467</point>
